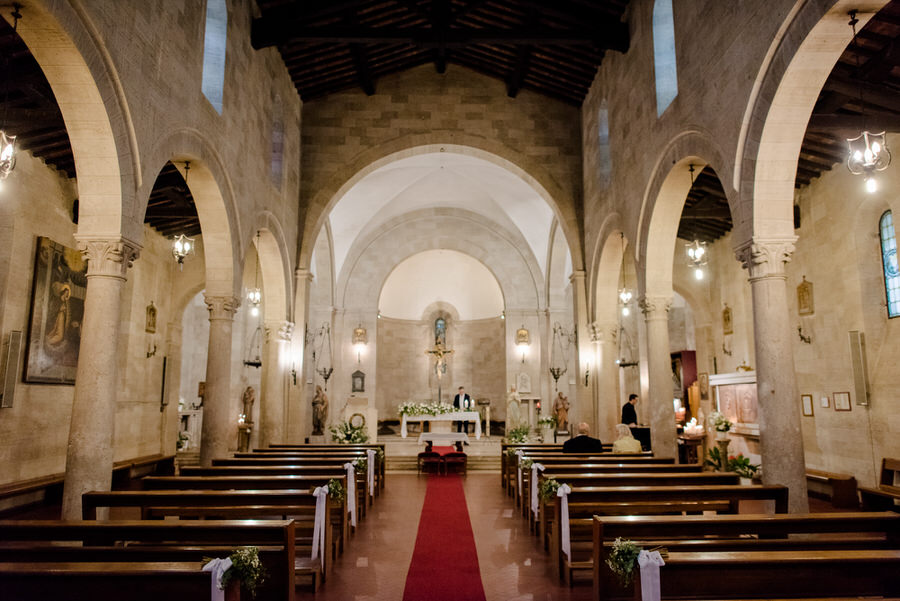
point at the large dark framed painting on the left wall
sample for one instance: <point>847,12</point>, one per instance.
<point>57,311</point>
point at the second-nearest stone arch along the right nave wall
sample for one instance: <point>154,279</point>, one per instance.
<point>664,200</point>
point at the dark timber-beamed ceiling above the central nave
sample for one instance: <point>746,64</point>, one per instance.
<point>553,48</point>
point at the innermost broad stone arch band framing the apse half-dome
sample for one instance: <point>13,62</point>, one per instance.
<point>485,239</point>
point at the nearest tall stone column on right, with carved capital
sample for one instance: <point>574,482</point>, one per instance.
<point>781,439</point>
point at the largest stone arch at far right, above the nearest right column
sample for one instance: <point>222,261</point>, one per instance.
<point>795,68</point>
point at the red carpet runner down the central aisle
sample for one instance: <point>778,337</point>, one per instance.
<point>445,563</point>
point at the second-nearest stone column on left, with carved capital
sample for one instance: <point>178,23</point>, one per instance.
<point>219,423</point>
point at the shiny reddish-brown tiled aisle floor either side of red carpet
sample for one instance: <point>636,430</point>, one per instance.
<point>513,566</point>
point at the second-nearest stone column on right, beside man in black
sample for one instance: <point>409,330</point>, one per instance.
<point>658,406</point>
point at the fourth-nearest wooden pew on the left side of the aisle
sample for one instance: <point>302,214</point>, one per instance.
<point>302,482</point>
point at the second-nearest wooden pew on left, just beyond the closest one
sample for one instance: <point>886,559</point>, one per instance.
<point>134,541</point>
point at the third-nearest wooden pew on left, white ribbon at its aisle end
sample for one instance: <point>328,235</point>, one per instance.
<point>215,504</point>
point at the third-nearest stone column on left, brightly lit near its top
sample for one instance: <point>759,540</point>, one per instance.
<point>273,408</point>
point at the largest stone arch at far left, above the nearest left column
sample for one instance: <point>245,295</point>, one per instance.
<point>80,71</point>
